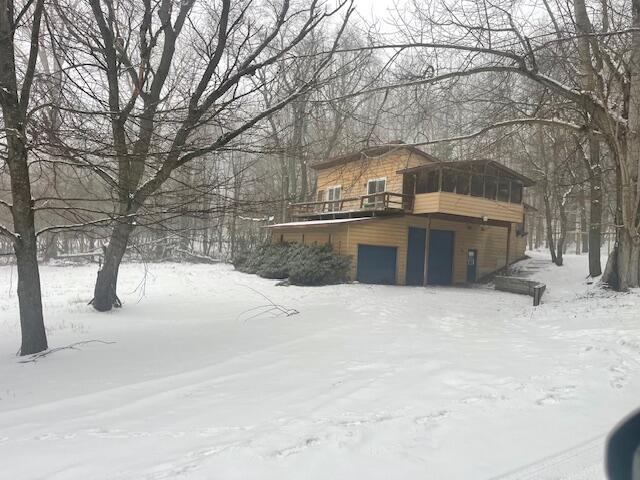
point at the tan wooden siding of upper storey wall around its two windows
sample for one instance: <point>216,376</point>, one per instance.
<point>353,176</point>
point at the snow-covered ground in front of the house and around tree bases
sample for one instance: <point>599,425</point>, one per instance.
<point>365,382</point>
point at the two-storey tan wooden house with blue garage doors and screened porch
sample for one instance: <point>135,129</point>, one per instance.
<point>408,218</point>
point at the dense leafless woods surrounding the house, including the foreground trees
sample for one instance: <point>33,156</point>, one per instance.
<point>174,130</point>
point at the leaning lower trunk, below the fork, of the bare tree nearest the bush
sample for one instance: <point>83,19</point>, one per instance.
<point>105,295</point>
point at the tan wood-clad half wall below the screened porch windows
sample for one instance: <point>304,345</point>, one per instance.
<point>468,206</point>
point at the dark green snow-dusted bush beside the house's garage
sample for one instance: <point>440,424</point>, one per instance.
<point>302,264</point>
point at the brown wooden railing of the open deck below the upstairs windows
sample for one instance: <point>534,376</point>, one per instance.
<point>383,201</point>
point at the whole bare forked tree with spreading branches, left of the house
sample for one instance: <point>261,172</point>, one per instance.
<point>170,71</point>
